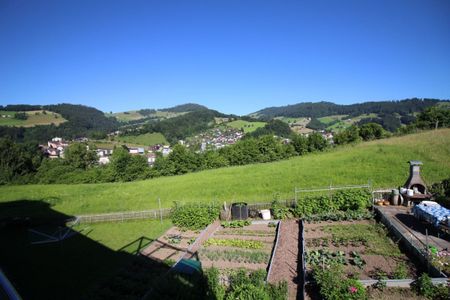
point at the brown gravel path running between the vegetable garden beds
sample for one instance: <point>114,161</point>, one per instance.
<point>285,263</point>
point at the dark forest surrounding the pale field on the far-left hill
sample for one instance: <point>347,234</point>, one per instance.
<point>82,121</point>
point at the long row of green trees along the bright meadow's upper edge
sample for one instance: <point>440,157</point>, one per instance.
<point>25,163</point>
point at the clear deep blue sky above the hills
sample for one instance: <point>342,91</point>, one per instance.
<point>235,56</point>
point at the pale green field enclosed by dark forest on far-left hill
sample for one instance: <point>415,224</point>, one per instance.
<point>36,117</point>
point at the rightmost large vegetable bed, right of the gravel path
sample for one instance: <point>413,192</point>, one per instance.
<point>362,247</point>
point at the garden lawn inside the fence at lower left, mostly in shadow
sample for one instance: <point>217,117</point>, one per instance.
<point>69,269</point>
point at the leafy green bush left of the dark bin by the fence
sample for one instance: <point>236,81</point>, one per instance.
<point>194,216</point>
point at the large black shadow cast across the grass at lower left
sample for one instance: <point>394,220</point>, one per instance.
<point>63,264</point>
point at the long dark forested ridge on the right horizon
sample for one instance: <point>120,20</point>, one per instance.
<point>322,109</point>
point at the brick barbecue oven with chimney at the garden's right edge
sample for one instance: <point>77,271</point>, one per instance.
<point>416,183</point>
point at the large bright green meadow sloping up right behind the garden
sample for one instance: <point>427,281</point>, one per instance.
<point>383,161</point>
